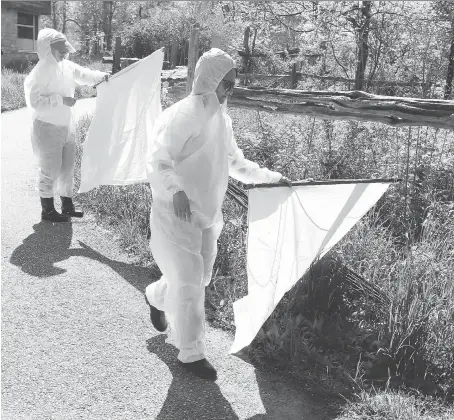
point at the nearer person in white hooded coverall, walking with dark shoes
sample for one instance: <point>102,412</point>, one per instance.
<point>193,154</point>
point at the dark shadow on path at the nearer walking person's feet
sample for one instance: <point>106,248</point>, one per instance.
<point>188,397</point>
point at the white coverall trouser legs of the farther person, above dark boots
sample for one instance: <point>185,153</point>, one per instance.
<point>48,141</point>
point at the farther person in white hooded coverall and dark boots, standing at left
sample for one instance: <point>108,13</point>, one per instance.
<point>49,92</point>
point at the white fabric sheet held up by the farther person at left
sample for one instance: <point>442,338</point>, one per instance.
<point>120,133</point>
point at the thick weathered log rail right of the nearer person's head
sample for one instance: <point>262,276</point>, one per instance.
<point>349,105</point>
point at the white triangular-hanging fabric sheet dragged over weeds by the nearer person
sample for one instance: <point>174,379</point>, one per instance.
<point>288,229</point>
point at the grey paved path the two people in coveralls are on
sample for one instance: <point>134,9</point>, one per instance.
<point>76,338</point>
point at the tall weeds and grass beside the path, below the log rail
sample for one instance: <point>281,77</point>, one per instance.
<point>392,360</point>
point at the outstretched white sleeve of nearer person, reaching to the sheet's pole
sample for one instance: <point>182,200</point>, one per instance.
<point>244,170</point>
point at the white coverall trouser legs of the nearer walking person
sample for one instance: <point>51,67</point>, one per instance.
<point>176,248</point>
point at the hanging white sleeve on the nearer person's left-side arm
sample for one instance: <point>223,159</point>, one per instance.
<point>166,151</point>
